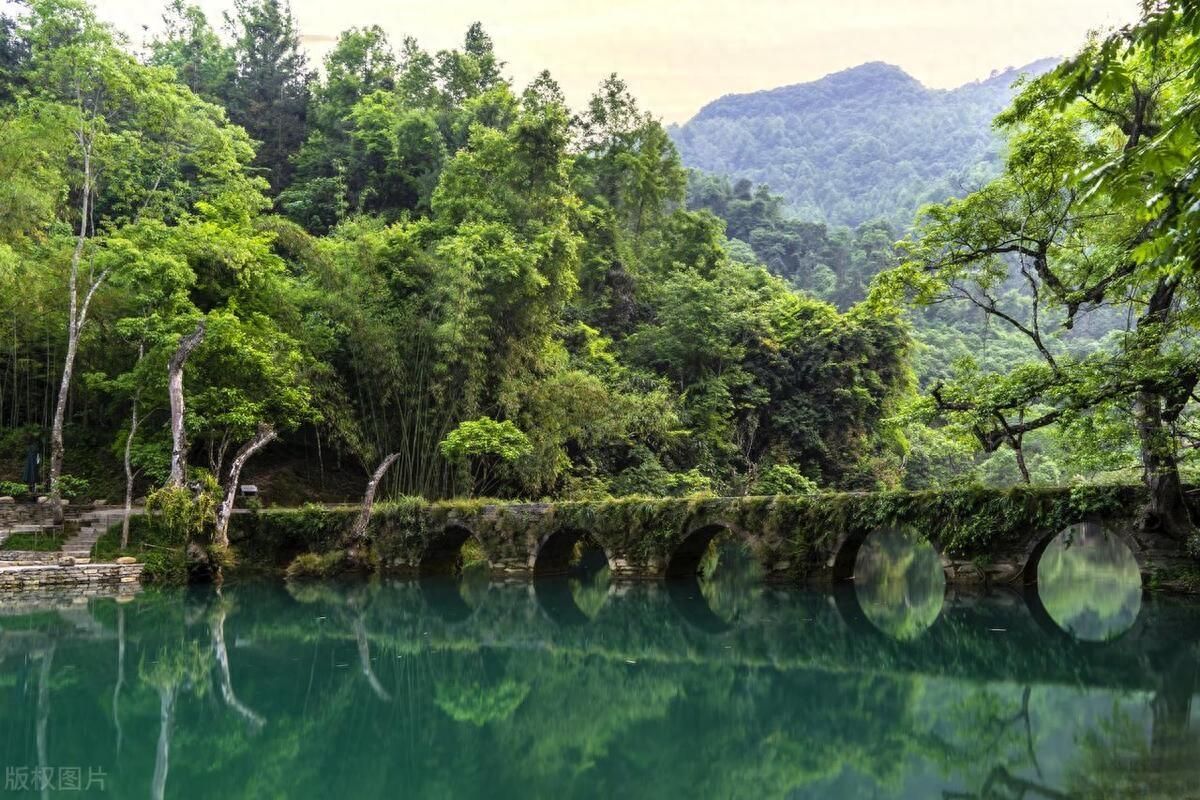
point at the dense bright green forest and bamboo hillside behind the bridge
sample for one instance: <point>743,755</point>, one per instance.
<point>404,255</point>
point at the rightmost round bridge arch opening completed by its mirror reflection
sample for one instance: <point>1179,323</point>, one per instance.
<point>1089,584</point>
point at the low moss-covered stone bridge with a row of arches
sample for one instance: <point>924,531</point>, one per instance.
<point>983,537</point>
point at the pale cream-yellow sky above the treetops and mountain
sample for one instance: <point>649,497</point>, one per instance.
<point>680,55</point>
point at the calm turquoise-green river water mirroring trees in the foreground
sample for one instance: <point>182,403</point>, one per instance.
<point>580,688</point>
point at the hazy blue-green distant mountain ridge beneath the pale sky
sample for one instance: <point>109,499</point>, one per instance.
<point>866,143</point>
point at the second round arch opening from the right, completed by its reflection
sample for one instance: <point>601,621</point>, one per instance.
<point>899,582</point>
